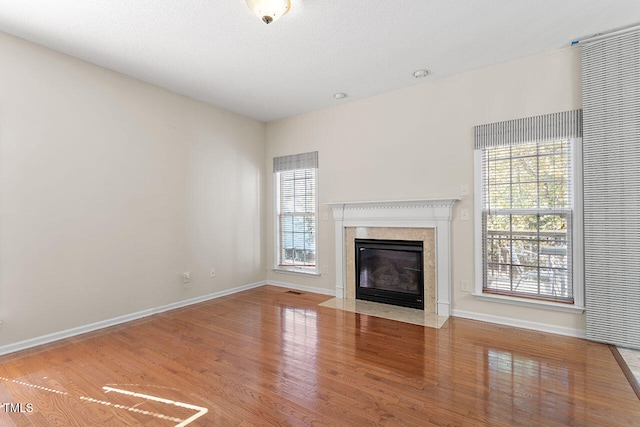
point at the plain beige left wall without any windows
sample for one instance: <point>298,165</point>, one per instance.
<point>110,188</point>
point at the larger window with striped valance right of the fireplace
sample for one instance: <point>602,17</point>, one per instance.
<point>527,207</point>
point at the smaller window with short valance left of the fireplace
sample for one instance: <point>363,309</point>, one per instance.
<point>296,212</point>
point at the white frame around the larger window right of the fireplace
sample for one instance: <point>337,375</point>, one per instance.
<point>576,230</point>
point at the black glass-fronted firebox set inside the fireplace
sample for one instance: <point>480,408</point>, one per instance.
<point>390,271</point>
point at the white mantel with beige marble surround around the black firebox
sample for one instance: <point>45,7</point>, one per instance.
<point>428,220</point>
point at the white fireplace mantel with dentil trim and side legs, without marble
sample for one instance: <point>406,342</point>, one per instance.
<point>427,213</point>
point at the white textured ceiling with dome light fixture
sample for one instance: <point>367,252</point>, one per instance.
<point>217,51</point>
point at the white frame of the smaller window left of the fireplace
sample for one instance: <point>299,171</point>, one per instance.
<point>278,265</point>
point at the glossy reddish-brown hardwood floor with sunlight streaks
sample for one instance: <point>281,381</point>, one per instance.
<point>272,357</point>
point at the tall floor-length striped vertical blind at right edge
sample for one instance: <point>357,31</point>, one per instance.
<point>611,103</point>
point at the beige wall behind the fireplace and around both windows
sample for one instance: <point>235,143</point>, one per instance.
<point>418,143</point>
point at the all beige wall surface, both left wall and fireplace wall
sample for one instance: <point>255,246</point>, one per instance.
<point>110,188</point>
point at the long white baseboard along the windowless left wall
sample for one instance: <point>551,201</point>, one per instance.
<point>56,336</point>
